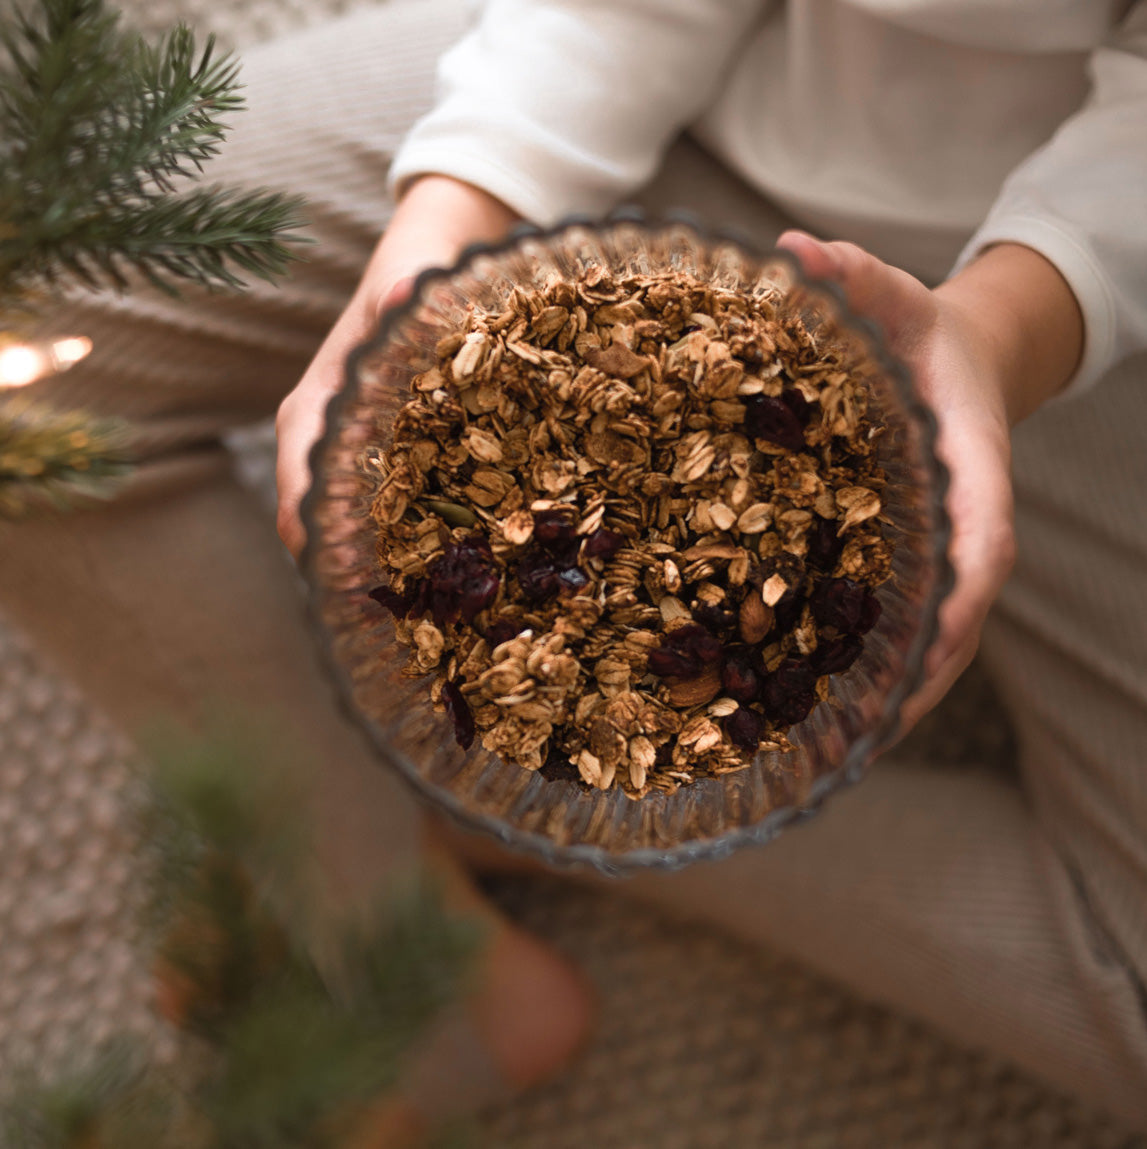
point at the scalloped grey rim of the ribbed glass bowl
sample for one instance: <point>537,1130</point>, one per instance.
<point>860,753</point>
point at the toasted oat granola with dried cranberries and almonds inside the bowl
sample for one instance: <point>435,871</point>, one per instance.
<point>632,527</point>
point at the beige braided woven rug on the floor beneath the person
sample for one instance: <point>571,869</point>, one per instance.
<point>728,1048</point>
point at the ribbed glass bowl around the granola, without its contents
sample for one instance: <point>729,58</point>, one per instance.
<point>563,822</point>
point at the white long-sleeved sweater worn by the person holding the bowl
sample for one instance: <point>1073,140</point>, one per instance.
<point>920,129</point>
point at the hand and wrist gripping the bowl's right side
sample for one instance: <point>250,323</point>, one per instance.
<point>986,350</point>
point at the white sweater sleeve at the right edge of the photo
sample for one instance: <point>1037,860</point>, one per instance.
<point>1082,203</point>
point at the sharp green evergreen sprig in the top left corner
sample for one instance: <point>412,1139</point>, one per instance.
<point>99,130</point>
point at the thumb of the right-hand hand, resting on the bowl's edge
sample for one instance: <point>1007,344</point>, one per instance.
<point>897,300</point>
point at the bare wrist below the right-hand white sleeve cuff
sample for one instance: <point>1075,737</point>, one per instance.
<point>1026,320</point>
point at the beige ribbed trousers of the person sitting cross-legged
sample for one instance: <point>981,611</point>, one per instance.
<point>1010,912</point>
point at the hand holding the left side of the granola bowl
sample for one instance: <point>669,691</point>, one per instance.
<point>435,221</point>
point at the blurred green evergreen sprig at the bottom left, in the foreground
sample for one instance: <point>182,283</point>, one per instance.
<point>290,1053</point>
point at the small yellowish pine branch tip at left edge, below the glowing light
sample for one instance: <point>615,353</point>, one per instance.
<point>55,460</point>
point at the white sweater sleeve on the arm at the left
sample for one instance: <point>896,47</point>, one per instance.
<point>560,106</point>
